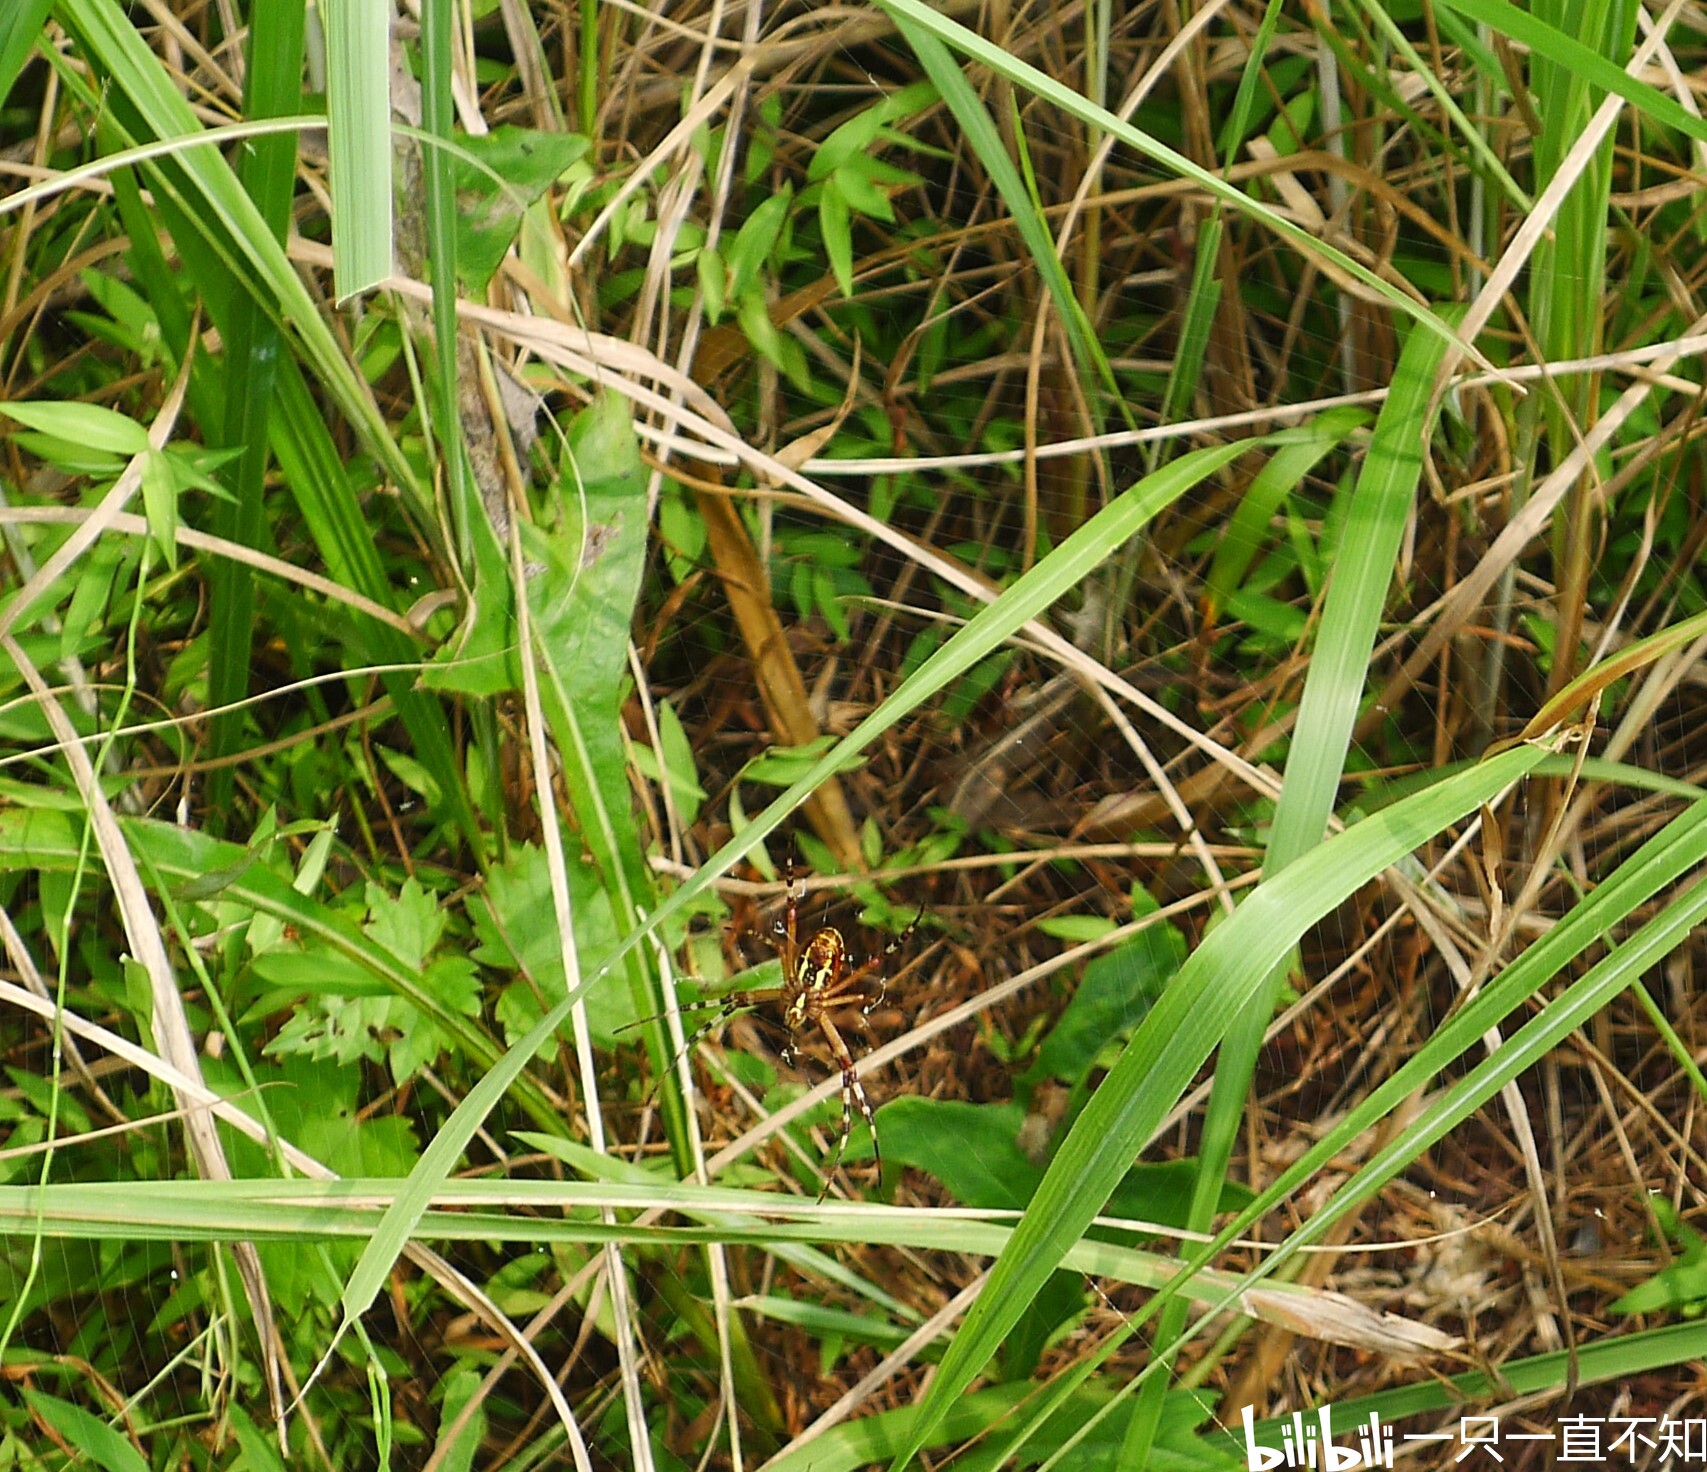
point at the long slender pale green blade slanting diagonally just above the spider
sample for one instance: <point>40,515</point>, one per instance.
<point>1032,593</point>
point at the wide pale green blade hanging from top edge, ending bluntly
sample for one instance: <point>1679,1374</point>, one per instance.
<point>359,143</point>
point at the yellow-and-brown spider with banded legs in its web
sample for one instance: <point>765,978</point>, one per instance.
<point>819,978</point>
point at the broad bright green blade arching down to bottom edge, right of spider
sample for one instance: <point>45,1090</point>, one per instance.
<point>1170,1046</point>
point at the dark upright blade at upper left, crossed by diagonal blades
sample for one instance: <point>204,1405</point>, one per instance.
<point>267,168</point>
